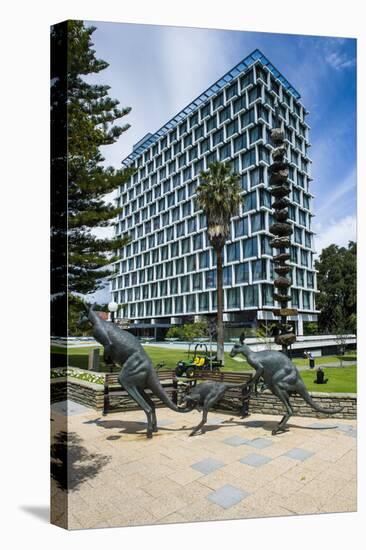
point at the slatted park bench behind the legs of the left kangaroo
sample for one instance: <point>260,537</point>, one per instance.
<point>116,398</point>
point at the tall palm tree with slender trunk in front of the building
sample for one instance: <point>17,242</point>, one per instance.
<point>218,195</point>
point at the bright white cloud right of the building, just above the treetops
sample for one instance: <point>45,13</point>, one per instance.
<point>336,232</point>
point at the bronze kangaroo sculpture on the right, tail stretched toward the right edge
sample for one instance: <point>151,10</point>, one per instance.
<point>280,376</point>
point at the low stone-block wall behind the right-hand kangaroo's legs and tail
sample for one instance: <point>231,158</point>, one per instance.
<point>267,403</point>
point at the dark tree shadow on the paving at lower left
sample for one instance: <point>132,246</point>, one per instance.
<point>72,463</point>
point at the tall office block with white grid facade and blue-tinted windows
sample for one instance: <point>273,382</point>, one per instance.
<point>166,275</point>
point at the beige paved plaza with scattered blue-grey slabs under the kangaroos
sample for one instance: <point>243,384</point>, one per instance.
<point>237,469</point>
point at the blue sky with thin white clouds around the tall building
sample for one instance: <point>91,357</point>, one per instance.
<point>158,70</point>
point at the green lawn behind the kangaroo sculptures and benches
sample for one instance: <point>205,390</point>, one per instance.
<point>340,379</point>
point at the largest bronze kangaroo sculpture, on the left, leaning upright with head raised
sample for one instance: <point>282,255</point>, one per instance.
<point>137,373</point>
